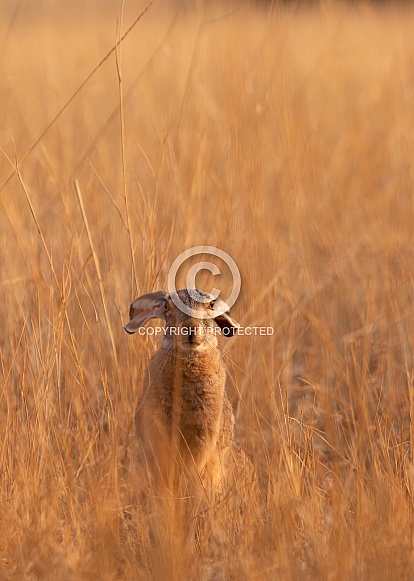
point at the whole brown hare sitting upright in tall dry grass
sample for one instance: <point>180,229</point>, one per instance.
<point>185,420</point>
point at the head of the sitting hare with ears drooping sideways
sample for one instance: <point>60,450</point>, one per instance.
<point>192,317</point>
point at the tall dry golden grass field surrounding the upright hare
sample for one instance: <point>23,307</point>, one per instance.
<point>283,136</point>
